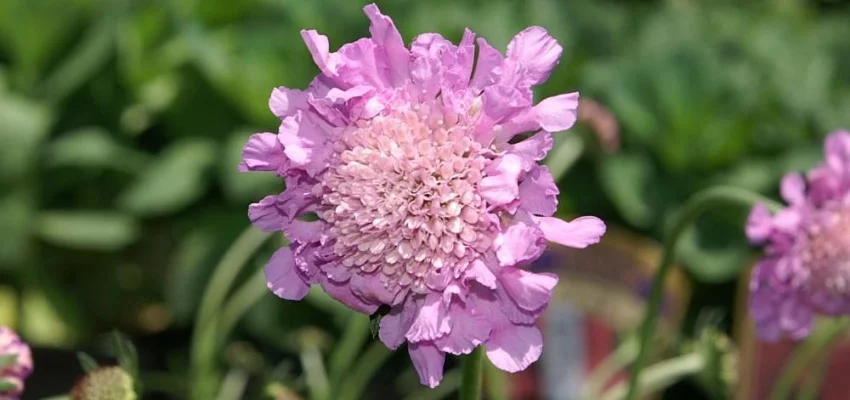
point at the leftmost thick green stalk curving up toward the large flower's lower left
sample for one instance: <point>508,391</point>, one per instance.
<point>204,337</point>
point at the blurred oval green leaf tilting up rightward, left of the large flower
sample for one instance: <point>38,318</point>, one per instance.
<point>173,181</point>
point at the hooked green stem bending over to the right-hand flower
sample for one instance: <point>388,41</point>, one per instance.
<point>698,204</point>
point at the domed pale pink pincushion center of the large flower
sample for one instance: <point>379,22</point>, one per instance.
<point>401,200</point>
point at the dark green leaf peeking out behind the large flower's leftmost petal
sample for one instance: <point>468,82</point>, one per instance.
<point>240,186</point>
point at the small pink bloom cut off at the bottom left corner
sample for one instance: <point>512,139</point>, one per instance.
<point>15,363</point>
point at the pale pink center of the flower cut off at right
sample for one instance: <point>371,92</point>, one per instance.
<point>828,256</point>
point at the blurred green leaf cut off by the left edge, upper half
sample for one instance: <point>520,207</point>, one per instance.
<point>23,125</point>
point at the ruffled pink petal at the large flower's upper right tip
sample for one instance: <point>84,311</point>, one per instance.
<point>537,51</point>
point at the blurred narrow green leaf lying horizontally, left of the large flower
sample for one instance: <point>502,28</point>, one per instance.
<point>87,230</point>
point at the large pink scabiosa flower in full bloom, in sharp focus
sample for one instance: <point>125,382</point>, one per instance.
<point>413,182</point>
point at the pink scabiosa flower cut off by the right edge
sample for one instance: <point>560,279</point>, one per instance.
<point>805,269</point>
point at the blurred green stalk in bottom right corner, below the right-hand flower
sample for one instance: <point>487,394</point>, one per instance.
<point>822,340</point>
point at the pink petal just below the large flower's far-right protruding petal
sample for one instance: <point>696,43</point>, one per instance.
<point>529,290</point>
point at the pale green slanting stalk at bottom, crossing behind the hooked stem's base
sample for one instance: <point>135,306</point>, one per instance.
<point>661,375</point>
